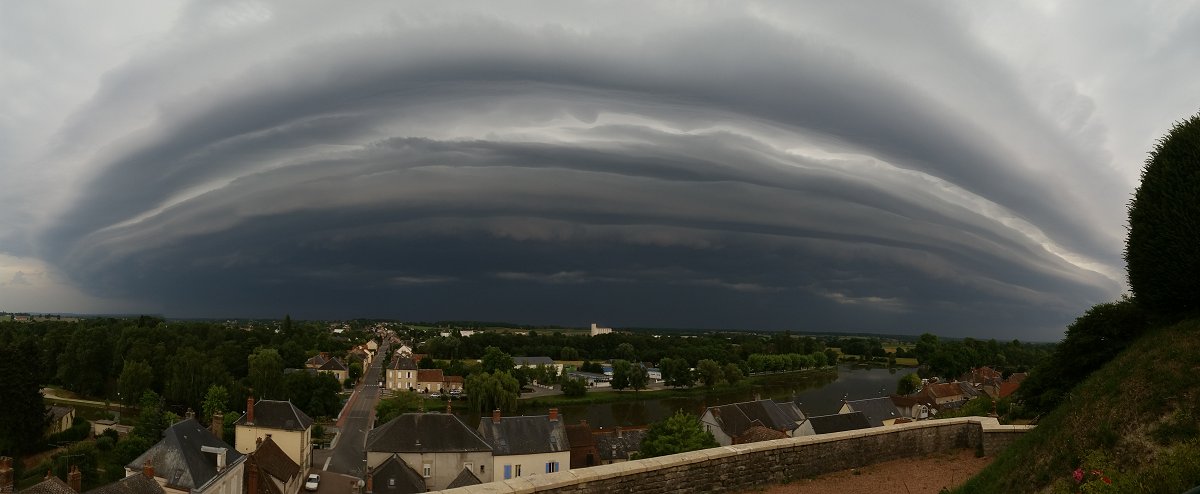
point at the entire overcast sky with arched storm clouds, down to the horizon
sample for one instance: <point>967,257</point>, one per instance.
<point>886,167</point>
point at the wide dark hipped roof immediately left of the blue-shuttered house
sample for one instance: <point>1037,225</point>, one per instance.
<point>425,433</point>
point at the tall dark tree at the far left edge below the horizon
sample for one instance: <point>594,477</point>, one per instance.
<point>22,417</point>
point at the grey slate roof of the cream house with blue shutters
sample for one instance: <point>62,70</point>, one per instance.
<point>529,435</point>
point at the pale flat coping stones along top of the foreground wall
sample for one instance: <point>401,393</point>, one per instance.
<point>536,484</point>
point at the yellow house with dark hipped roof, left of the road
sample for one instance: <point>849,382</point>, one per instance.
<point>289,427</point>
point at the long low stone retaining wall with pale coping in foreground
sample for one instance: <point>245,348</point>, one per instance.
<point>759,465</point>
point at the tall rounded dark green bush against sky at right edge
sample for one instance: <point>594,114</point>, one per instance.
<point>1163,248</point>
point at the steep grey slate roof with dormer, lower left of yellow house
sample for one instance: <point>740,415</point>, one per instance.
<point>178,457</point>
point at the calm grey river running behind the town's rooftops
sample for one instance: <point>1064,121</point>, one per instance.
<point>819,394</point>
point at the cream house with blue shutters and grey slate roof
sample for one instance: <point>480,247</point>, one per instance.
<point>526,445</point>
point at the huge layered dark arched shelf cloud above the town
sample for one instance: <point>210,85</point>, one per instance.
<point>719,173</point>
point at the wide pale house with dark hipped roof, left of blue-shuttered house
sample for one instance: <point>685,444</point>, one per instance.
<point>437,447</point>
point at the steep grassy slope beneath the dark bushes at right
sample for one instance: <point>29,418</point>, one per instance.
<point>1136,419</point>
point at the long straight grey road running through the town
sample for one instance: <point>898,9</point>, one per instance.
<point>356,421</point>
